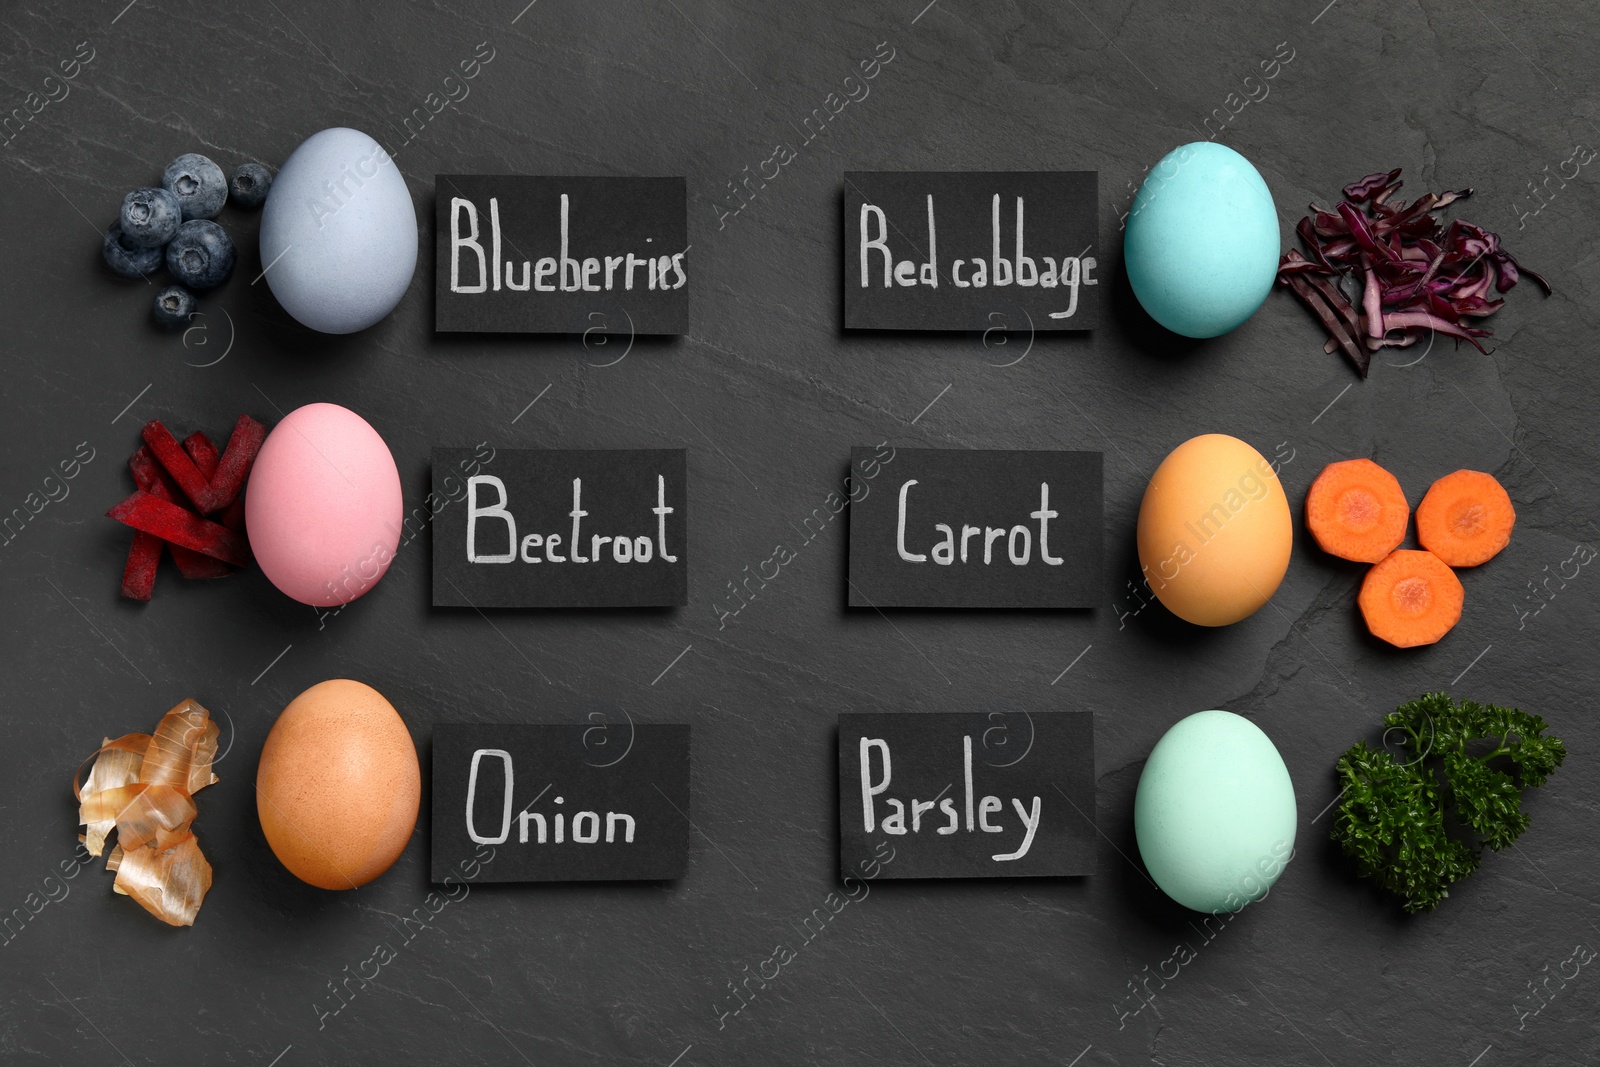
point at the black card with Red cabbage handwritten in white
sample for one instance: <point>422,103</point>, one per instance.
<point>985,250</point>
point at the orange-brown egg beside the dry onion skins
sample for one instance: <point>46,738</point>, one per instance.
<point>338,788</point>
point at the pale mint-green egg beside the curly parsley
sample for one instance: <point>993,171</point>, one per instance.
<point>1215,813</point>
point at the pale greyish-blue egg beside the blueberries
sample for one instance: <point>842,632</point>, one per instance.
<point>338,233</point>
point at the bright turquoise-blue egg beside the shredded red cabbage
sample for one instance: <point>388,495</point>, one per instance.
<point>1202,241</point>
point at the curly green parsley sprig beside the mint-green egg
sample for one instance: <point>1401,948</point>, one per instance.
<point>1420,825</point>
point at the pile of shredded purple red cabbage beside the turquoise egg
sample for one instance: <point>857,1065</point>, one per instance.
<point>1415,276</point>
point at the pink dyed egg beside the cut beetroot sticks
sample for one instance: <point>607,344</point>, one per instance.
<point>324,506</point>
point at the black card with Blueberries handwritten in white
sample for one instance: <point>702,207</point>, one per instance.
<point>561,255</point>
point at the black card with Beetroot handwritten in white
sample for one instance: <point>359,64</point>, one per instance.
<point>561,529</point>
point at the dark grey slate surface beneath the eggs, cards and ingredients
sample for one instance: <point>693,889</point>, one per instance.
<point>769,396</point>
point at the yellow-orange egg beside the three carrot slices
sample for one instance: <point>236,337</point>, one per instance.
<point>1215,530</point>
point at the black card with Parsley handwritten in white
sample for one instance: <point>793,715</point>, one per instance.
<point>991,794</point>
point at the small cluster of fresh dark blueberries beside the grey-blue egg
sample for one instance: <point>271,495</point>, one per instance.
<point>172,226</point>
